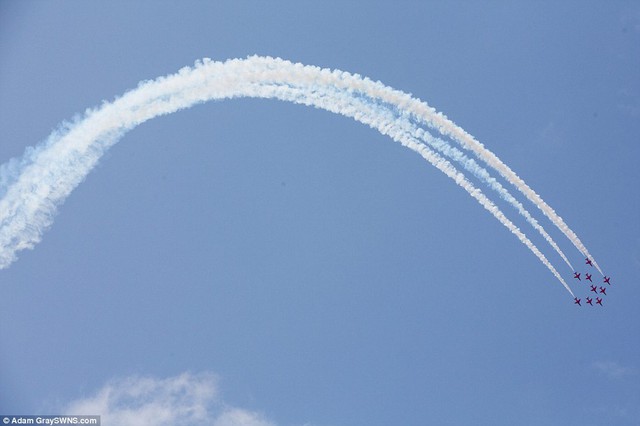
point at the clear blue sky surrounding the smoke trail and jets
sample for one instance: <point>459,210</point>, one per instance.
<point>278,264</point>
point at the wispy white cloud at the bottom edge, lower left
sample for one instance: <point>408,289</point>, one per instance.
<point>184,400</point>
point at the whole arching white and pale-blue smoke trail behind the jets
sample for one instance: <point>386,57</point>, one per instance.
<point>33,186</point>
